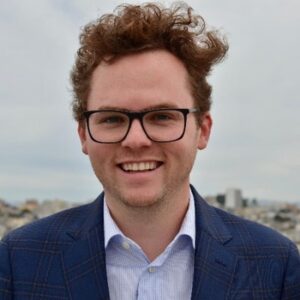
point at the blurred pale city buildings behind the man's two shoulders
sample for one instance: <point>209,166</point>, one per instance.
<point>283,217</point>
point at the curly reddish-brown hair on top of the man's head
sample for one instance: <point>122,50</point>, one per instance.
<point>135,28</point>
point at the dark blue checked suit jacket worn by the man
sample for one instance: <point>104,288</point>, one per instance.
<point>63,257</point>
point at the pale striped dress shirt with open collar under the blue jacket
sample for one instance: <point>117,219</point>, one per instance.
<point>132,276</point>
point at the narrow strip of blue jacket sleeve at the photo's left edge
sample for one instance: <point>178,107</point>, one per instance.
<point>5,273</point>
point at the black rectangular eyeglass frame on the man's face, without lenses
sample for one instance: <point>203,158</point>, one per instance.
<point>132,115</point>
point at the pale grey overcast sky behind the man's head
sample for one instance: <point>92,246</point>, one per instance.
<point>255,142</point>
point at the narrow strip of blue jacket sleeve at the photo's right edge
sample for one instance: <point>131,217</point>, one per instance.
<point>291,288</point>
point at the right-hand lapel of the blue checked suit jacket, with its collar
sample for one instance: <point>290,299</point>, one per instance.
<point>215,266</point>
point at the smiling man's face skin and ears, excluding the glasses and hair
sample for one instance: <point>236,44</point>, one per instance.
<point>137,82</point>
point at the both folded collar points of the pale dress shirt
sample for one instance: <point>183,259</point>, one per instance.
<point>187,228</point>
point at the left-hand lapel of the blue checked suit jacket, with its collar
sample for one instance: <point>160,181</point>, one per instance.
<point>84,262</point>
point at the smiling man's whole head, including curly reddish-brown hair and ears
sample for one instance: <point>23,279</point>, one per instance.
<point>142,58</point>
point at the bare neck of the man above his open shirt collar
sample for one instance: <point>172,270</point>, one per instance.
<point>152,228</point>
